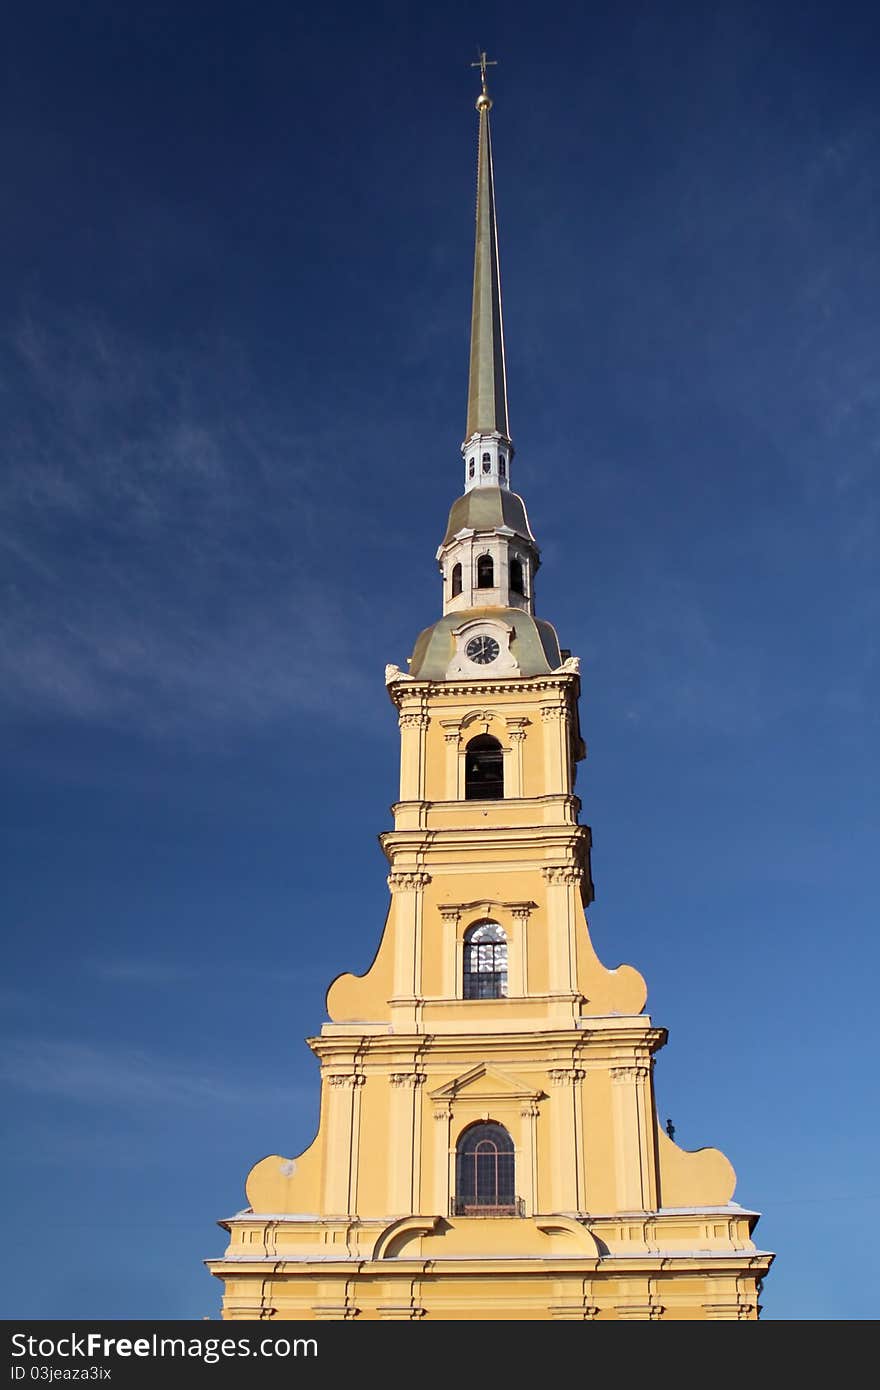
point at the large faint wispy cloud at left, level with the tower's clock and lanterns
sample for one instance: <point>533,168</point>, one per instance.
<point>161,544</point>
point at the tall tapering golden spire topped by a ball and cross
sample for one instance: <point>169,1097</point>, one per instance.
<point>487,395</point>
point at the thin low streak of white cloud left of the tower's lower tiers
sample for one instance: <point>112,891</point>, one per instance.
<point>88,1075</point>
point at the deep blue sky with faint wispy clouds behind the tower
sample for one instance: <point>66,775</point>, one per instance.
<point>234,306</point>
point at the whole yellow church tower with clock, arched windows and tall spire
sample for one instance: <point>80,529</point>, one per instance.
<point>489,1145</point>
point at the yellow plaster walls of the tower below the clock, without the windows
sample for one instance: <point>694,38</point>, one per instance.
<point>567,1072</point>
